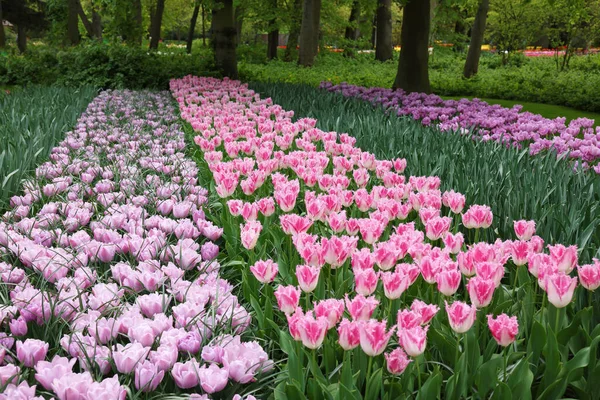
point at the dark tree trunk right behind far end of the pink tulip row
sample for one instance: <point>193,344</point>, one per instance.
<point>225,38</point>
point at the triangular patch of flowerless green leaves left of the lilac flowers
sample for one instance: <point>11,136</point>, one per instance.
<point>32,121</point>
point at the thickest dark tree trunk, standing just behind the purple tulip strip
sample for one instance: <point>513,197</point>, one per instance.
<point>413,73</point>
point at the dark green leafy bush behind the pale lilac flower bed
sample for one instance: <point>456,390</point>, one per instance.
<point>102,65</point>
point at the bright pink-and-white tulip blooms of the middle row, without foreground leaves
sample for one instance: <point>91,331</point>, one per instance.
<point>350,215</point>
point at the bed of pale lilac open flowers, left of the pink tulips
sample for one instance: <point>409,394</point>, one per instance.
<point>109,264</point>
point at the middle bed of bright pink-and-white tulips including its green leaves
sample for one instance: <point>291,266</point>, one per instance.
<point>364,258</point>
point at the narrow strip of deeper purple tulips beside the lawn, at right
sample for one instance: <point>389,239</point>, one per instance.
<point>577,140</point>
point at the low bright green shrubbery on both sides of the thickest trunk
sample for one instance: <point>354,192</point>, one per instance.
<point>526,79</point>
